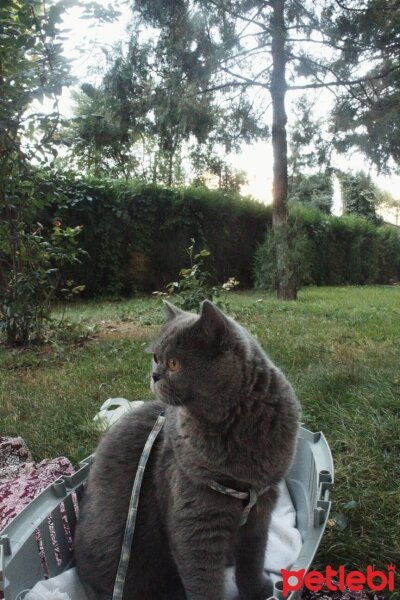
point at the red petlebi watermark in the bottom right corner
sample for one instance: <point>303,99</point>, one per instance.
<point>338,580</point>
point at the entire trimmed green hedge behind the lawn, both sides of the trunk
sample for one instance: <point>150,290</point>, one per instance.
<point>136,237</point>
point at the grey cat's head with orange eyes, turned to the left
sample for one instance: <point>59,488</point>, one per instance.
<point>195,363</point>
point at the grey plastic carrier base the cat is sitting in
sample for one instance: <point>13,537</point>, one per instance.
<point>50,520</point>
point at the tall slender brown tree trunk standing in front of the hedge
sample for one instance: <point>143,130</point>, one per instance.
<point>286,286</point>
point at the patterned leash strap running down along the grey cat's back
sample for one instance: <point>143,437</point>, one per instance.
<point>132,512</point>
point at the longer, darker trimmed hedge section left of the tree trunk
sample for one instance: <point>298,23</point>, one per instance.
<point>136,235</point>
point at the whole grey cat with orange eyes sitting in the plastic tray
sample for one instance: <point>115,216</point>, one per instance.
<point>231,420</point>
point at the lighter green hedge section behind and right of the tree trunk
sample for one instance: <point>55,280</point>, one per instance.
<point>347,250</point>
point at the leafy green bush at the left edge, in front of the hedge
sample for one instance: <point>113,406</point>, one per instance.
<point>32,259</point>
